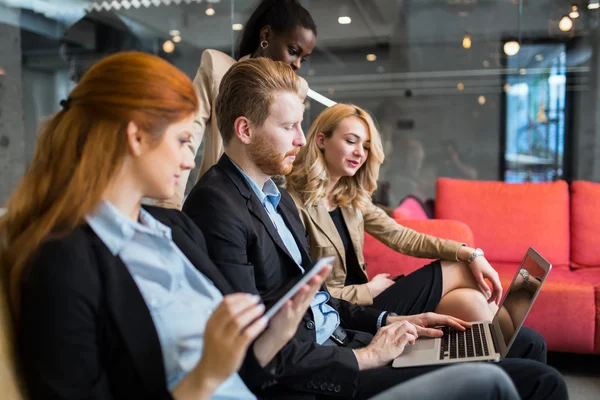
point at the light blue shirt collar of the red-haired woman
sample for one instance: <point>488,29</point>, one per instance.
<point>116,229</point>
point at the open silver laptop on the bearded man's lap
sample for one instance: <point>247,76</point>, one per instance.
<point>484,341</point>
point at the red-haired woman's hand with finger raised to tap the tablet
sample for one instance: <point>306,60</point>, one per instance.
<point>229,332</point>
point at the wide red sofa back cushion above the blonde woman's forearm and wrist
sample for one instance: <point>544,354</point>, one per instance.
<point>508,218</point>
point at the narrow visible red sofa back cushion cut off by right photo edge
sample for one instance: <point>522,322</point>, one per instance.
<point>585,224</point>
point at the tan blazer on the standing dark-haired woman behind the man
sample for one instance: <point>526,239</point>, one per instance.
<point>213,66</point>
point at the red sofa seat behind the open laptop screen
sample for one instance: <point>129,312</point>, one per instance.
<point>565,310</point>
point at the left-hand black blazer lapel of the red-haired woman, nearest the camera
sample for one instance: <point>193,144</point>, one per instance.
<point>132,318</point>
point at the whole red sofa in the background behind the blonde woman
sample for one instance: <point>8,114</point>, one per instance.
<point>561,223</point>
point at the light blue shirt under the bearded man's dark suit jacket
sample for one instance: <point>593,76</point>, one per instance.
<point>326,317</point>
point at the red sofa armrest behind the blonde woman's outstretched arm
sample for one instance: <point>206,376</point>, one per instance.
<point>381,259</point>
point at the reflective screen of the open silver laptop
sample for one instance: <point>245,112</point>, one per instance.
<point>520,296</point>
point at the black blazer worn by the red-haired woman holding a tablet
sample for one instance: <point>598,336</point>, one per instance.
<point>85,330</point>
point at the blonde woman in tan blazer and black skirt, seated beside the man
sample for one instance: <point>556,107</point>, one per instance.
<point>333,177</point>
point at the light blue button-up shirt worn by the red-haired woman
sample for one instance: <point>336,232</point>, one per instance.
<point>179,297</point>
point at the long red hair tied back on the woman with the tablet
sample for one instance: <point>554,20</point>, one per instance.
<point>81,148</point>
